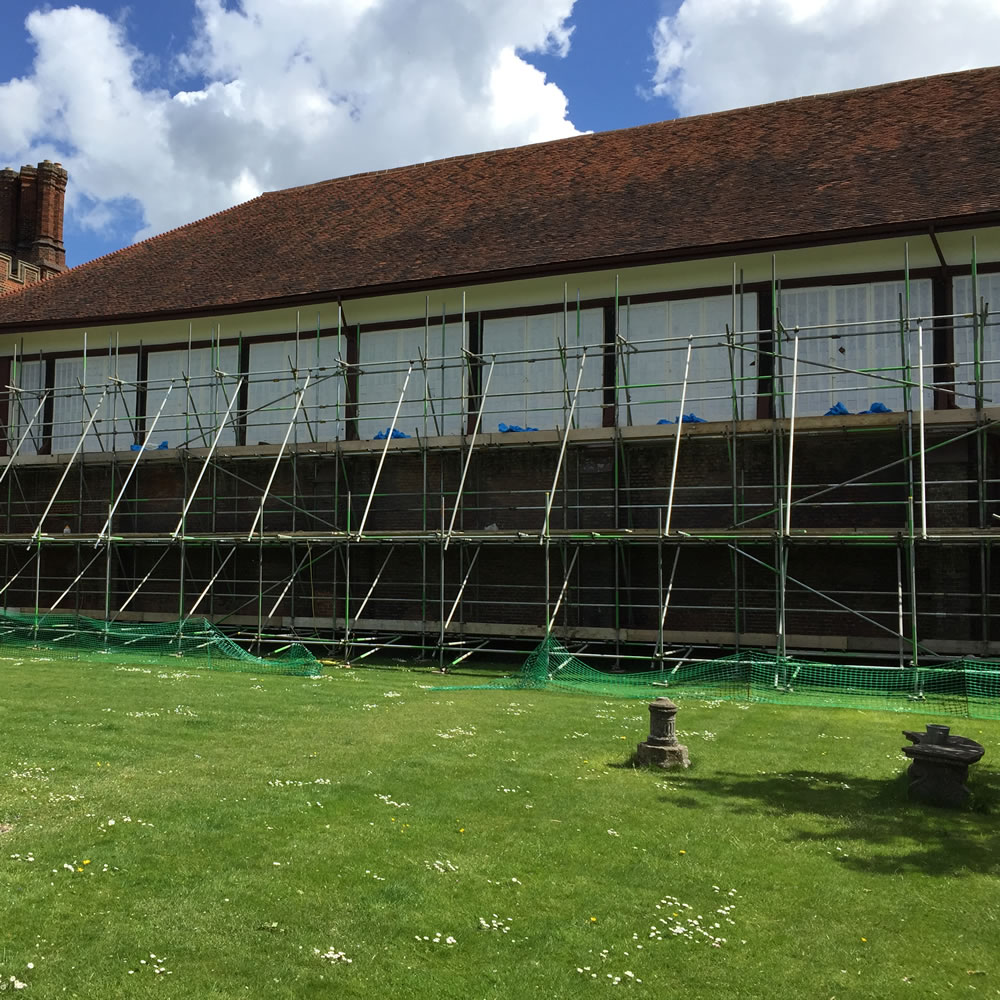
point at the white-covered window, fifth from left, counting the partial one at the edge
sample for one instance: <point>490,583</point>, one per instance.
<point>434,402</point>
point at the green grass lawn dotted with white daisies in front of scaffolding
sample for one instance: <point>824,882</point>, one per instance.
<point>169,832</point>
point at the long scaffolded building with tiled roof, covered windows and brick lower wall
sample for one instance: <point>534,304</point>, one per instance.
<point>718,382</point>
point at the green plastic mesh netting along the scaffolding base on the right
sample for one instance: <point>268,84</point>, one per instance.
<point>968,688</point>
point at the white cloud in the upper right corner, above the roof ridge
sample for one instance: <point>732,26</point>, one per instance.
<point>718,54</point>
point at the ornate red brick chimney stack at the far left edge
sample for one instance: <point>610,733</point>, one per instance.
<point>31,224</point>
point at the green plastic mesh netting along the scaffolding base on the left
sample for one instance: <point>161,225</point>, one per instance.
<point>195,640</point>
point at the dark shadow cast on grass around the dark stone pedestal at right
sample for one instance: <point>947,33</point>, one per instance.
<point>897,835</point>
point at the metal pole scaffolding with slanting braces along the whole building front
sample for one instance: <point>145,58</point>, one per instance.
<point>651,490</point>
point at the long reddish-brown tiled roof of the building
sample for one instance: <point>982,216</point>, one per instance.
<point>851,163</point>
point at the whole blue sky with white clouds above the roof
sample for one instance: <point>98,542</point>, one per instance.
<point>164,113</point>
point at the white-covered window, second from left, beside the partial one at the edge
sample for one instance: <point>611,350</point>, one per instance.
<point>85,389</point>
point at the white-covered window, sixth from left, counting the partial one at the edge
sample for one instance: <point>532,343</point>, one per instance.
<point>538,360</point>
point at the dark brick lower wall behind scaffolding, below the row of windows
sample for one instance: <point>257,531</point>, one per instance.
<point>720,586</point>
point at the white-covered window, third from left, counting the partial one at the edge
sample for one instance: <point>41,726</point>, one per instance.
<point>199,398</point>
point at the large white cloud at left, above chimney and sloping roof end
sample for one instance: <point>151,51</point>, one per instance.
<point>286,94</point>
